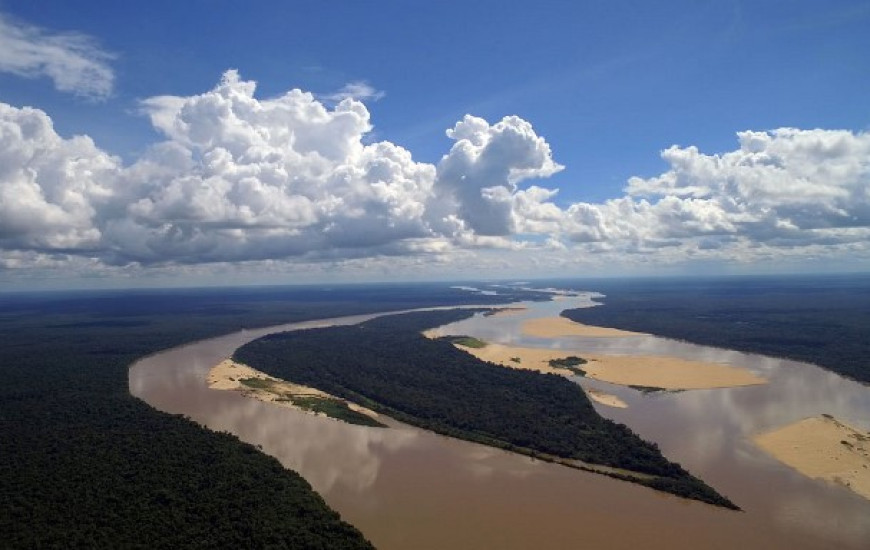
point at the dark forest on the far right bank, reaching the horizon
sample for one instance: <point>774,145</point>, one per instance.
<point>819,320</point>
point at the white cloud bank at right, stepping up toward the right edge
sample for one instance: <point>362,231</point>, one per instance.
<point>786,188</point>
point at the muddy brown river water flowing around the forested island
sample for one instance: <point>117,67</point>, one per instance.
<point>407,488</point>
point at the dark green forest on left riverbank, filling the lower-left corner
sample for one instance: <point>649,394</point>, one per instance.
<point>84,464</point>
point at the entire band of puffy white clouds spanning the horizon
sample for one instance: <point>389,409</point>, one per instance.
<point>291,178</point>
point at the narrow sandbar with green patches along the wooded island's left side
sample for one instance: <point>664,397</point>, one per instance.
<point>228,374</point>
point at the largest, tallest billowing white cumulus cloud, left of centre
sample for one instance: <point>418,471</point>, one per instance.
<point>245,178</point>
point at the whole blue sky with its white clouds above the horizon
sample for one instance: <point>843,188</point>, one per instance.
<point>271,142</point>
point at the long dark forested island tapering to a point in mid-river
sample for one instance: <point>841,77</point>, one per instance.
<point>387,365</point>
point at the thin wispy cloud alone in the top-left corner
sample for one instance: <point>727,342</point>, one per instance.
<point>73,61</point>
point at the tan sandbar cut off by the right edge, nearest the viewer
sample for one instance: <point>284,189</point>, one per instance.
<point>822,447</point>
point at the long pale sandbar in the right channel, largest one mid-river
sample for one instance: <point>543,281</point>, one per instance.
<point>667,373</point>
